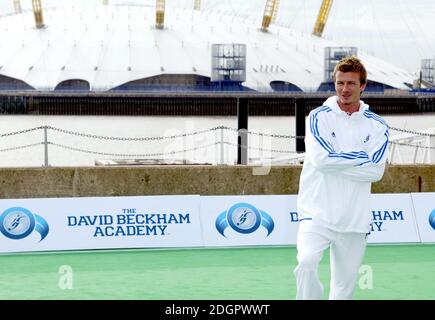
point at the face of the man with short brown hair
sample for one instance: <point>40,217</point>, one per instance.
<point>348,87</point>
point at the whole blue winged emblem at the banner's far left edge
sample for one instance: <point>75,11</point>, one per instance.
<point>17,223</point>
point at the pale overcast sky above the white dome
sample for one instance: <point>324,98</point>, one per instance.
<point>399,31</point>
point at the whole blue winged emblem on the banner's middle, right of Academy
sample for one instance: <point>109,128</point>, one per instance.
<point>244,218</point>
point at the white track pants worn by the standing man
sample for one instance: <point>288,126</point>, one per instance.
<point>346,255</point>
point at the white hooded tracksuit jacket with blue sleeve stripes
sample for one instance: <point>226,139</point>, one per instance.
<point>344,154</point>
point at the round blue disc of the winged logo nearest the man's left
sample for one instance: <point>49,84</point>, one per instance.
<point>244,218</point>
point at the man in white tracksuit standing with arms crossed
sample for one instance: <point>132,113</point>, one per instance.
<point>346,149</point>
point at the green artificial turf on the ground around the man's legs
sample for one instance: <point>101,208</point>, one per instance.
<point>264,273</point>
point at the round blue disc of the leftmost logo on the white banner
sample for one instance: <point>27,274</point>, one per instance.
<point>17,223</point>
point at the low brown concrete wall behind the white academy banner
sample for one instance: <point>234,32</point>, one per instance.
<point>165,180</point>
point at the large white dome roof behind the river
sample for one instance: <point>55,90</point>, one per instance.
<point>111,45</point>
